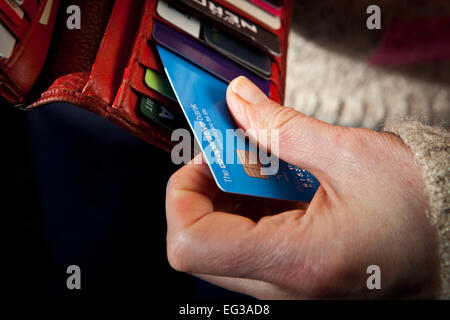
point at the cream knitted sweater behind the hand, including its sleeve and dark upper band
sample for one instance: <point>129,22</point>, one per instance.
<point>329,77</point>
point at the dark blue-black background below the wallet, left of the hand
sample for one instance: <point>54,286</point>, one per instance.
<point>80,190</point>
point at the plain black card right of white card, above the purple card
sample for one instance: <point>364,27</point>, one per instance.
<point>255,60</point>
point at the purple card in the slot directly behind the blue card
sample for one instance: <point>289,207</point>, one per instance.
<point>203,56</point>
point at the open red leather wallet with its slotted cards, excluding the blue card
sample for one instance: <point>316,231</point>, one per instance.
<point>111,67</point>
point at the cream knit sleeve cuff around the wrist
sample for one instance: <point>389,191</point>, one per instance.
<point>431,146</point>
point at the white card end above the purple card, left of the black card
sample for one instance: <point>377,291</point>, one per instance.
<point>182,20</point>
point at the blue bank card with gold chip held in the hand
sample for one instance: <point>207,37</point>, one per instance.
<point>202,98</point>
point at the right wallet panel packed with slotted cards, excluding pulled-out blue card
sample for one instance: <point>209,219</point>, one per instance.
<point>216,36</point>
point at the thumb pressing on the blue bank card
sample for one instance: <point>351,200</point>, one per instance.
<point>302,141</point>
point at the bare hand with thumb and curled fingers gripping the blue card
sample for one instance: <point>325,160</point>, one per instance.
<point>369,210</point>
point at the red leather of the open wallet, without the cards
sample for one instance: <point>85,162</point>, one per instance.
<point>101,66</point>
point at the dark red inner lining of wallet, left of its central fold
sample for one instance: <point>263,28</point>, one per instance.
<point>72,52</point>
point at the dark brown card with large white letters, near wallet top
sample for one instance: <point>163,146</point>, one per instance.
<point>233,22</point>
